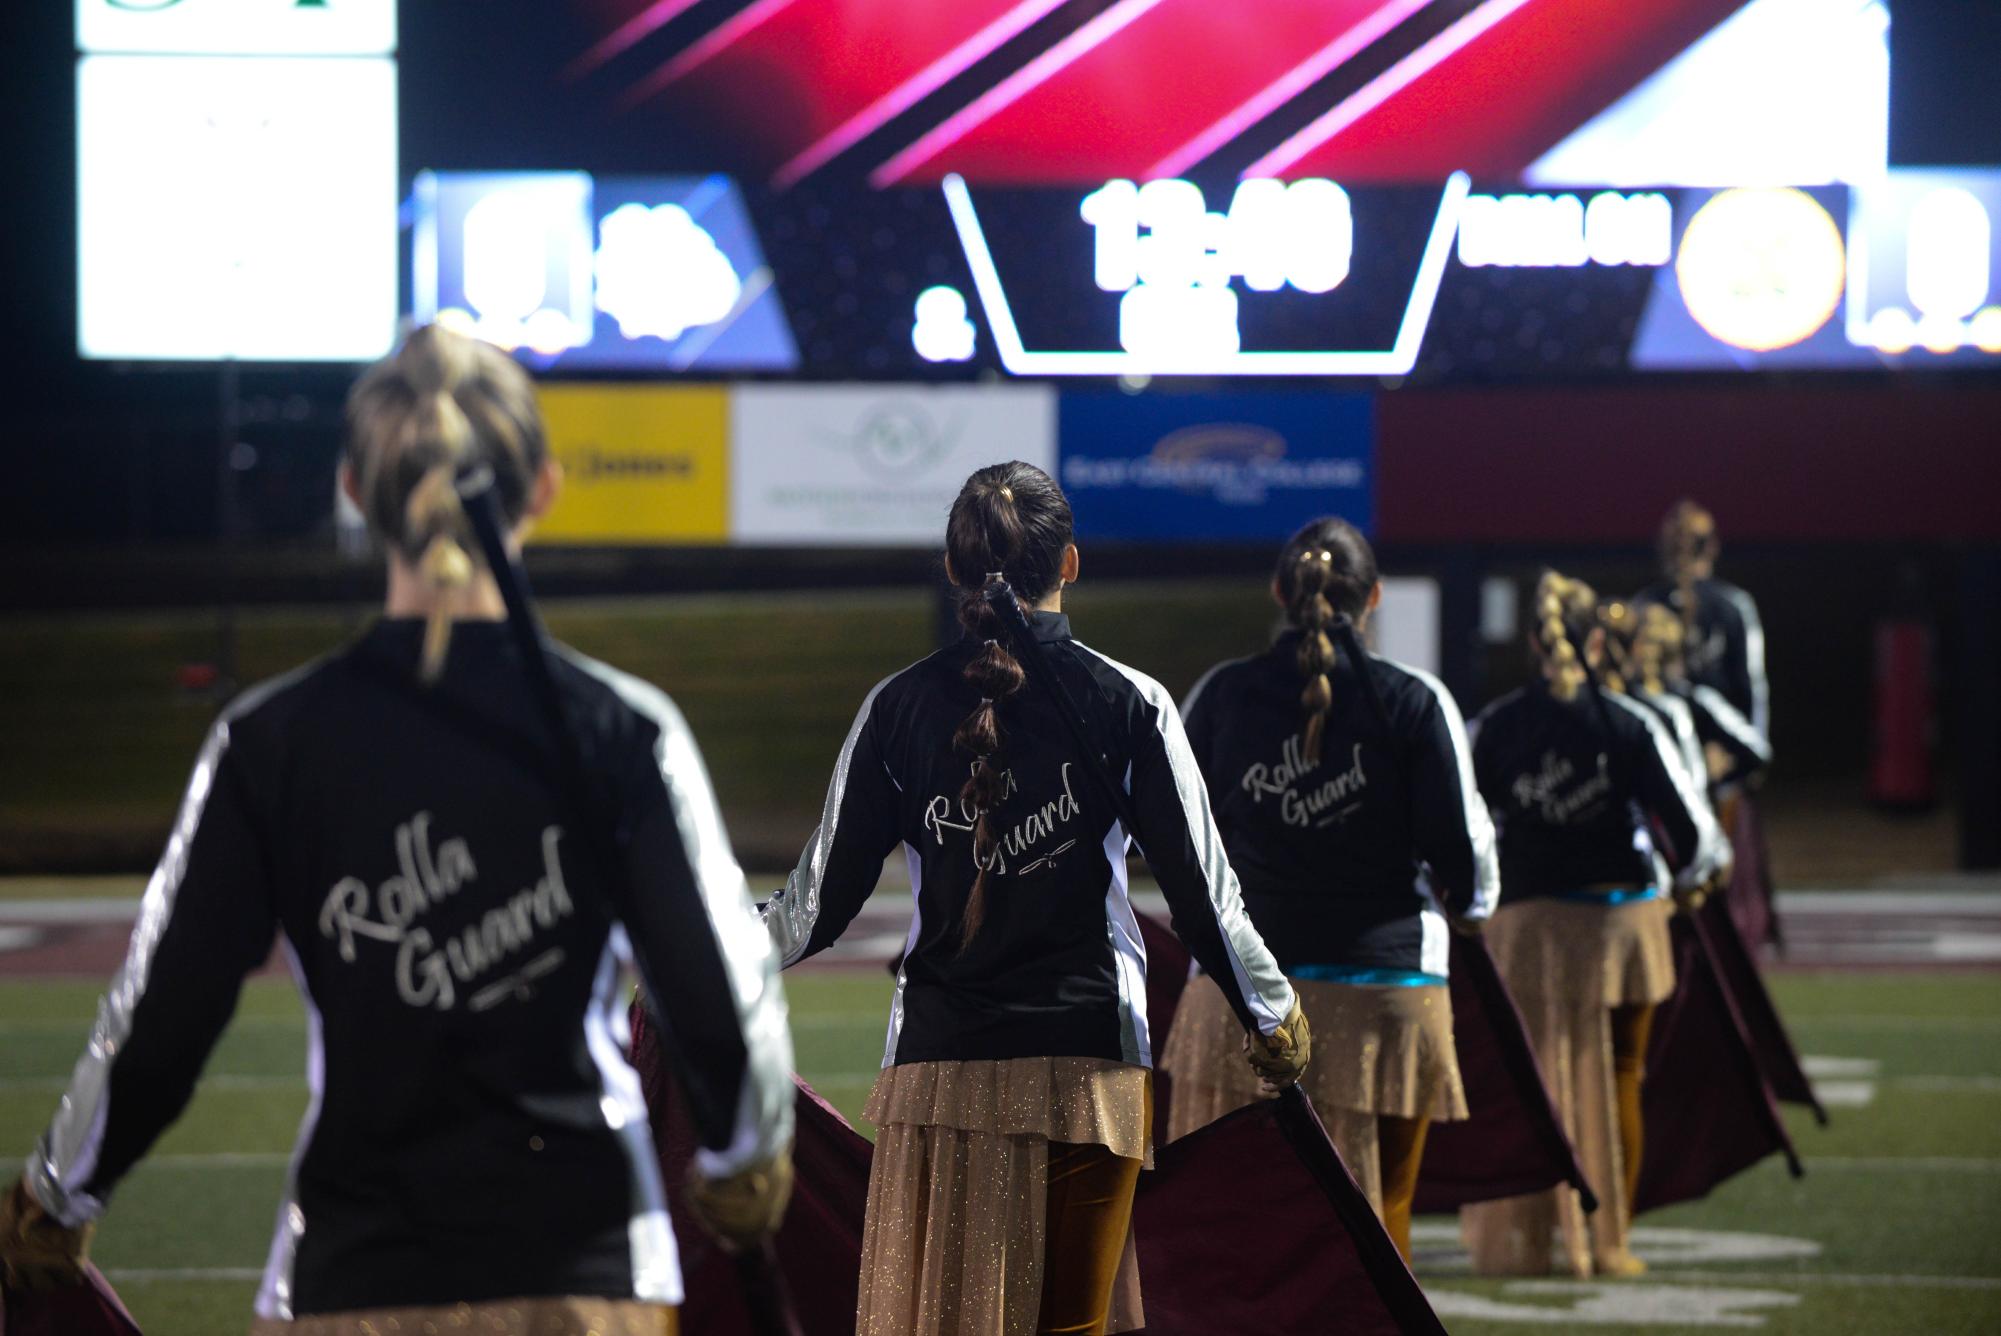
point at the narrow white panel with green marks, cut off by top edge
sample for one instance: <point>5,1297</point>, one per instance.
<point>237,27</point>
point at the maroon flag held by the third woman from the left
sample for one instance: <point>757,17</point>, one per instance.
<point>1514,1141</point>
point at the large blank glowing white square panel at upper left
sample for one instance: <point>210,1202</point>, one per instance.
<point>237,209</point>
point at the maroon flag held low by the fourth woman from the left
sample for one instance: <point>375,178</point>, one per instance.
<point>1710,1113</point>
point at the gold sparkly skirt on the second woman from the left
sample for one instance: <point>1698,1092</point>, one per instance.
<point>957,1189</point>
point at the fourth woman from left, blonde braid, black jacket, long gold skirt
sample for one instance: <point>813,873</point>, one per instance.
<point>1590,795</point>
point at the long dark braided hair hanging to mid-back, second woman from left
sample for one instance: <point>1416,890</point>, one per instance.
<point>1012,521</point>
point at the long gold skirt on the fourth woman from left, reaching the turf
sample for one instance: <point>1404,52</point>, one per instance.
<point>1568,965</point>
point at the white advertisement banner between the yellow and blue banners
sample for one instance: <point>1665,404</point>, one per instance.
<point>873,465</point>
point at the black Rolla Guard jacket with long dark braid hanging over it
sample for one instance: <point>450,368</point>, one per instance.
<point>1058,967</point>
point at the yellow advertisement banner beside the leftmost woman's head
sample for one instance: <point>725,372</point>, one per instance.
<point>641,465</point>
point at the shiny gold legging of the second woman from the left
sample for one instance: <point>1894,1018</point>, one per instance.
<point>1090,1217</point>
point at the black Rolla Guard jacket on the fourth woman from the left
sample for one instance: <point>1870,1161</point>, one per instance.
<point>1578,807</point>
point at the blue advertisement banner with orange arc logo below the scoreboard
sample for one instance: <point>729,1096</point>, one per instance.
<point>1216,467</point>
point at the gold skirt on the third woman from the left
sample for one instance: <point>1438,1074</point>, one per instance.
<point>1378,1051</point>
